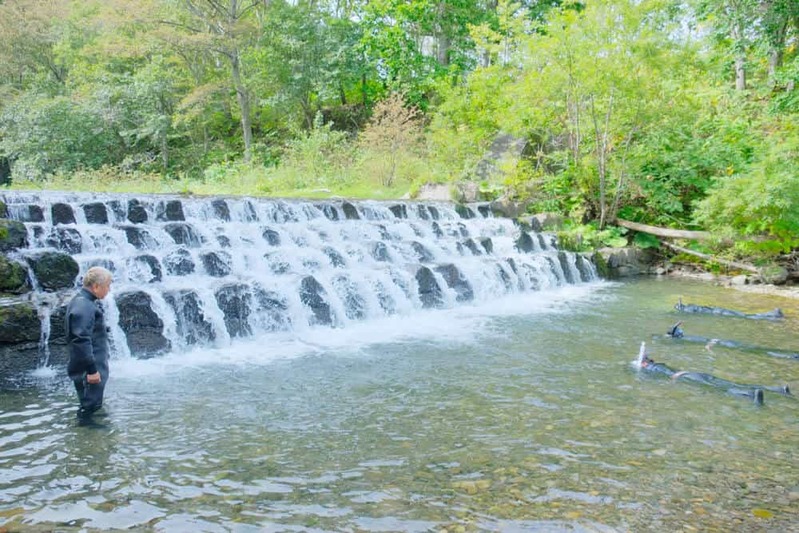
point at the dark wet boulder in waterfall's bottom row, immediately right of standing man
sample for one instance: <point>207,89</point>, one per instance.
<point>142,326</point>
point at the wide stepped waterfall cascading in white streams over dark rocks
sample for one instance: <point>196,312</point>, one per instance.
<point>202,271</point>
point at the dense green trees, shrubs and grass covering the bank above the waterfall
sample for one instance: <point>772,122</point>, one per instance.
<point>627,111</point>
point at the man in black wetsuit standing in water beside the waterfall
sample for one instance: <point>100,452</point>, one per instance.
<point>87,337</point>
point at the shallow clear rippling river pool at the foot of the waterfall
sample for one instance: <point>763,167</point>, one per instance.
<point>521,414</point>
